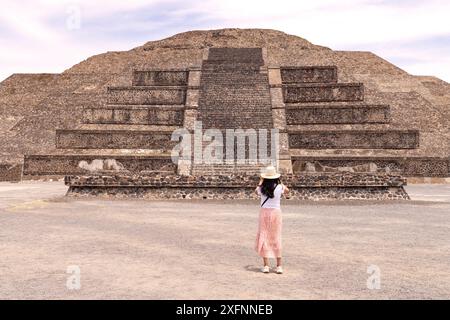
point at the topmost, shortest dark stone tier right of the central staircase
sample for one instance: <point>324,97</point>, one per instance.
<point>310,74</point>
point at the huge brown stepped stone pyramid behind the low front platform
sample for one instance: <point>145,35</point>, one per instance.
<point>337,112</point>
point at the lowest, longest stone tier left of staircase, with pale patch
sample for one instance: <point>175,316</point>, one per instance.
<point>54,164</point>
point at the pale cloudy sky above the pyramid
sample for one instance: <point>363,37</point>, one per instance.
<point>52,35</point>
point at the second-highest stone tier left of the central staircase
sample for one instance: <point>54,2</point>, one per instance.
<point>147,95</point>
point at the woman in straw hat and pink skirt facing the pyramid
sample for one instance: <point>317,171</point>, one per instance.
<point>268,239</point>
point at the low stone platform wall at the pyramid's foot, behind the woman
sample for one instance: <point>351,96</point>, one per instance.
<point>303,187</point>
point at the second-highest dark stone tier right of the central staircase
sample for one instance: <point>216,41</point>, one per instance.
<point>323,92</point>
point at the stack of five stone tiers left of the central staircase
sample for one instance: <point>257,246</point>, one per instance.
<point>126,122</point>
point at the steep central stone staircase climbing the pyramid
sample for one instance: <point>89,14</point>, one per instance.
<point>234,94</point>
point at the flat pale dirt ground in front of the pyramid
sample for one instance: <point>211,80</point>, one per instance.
<point>204,249</point>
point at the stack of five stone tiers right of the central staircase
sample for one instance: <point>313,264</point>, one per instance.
<point>335,129</point>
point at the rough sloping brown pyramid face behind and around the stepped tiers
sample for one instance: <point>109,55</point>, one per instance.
<point>31,105</point>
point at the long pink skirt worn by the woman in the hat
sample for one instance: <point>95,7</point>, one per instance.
<point>268,239</point>
